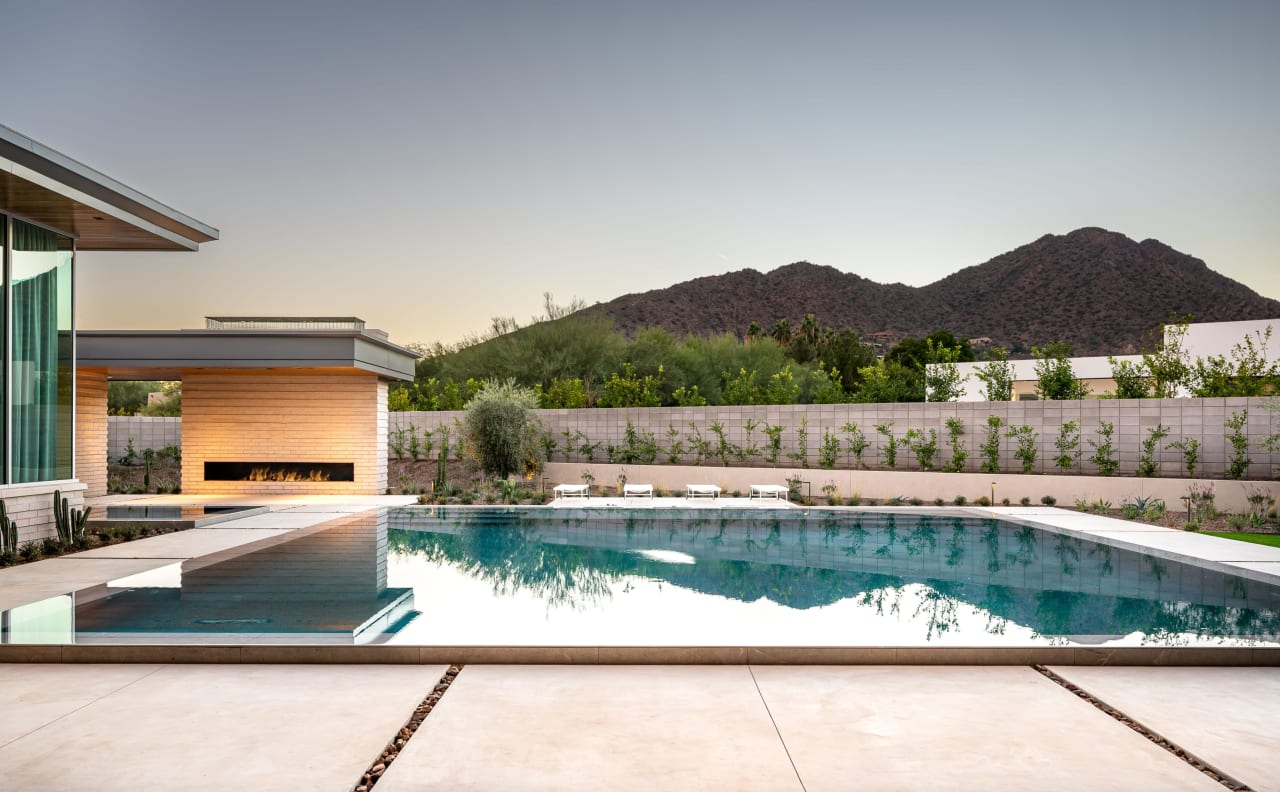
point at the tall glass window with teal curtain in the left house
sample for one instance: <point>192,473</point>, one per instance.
<point>40,267</point>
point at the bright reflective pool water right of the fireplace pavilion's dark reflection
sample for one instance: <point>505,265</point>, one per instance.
<point>819,578</point>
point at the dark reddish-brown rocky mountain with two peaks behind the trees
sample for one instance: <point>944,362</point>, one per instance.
<point>1098,290</point>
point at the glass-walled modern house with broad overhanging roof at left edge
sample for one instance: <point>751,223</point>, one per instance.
<point>53,208</point>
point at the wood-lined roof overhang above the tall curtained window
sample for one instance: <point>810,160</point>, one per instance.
<point>43,185</point>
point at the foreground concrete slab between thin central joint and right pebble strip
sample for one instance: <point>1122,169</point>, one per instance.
<point>957,729</point>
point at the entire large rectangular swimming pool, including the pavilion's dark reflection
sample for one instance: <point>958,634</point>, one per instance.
<point>679,578</point>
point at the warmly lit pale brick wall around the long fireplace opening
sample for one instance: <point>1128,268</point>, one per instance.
<point>300,416</point>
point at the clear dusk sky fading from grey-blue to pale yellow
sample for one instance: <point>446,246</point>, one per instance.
<point>432,166</point>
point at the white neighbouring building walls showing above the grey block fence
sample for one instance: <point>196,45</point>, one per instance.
<point>1205,340</point>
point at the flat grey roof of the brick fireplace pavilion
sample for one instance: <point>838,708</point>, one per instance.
<point>162,355</point>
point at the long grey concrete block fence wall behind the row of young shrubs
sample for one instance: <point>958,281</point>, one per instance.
<point>1203,420</point>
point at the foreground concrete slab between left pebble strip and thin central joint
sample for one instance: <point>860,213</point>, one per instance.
<point>596,729</point>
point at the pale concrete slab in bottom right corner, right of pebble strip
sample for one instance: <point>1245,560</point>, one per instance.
<point>1224,716</point>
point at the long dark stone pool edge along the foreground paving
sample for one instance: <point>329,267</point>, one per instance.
<point>646,656</point>
